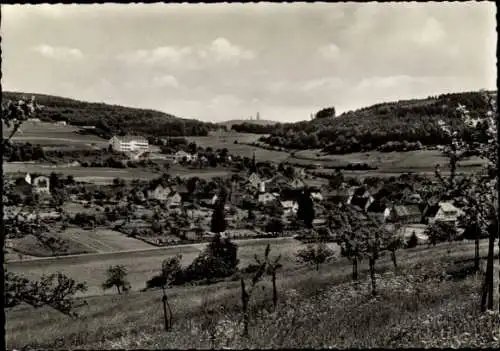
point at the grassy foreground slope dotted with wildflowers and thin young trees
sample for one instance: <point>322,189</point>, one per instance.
<point>342,315</point>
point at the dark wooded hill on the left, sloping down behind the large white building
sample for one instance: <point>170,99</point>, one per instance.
<point>114,119</point>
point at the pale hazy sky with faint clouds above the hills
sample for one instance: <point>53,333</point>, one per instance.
<point>217,61</point>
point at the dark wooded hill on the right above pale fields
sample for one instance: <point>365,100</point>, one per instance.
<point>394,126</point>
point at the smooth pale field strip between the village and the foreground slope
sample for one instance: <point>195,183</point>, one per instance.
<point>142,264</point>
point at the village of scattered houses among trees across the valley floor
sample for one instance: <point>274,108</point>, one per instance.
<point>262,200</point>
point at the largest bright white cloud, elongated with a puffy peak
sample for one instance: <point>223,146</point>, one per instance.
<point>219,50</point>
